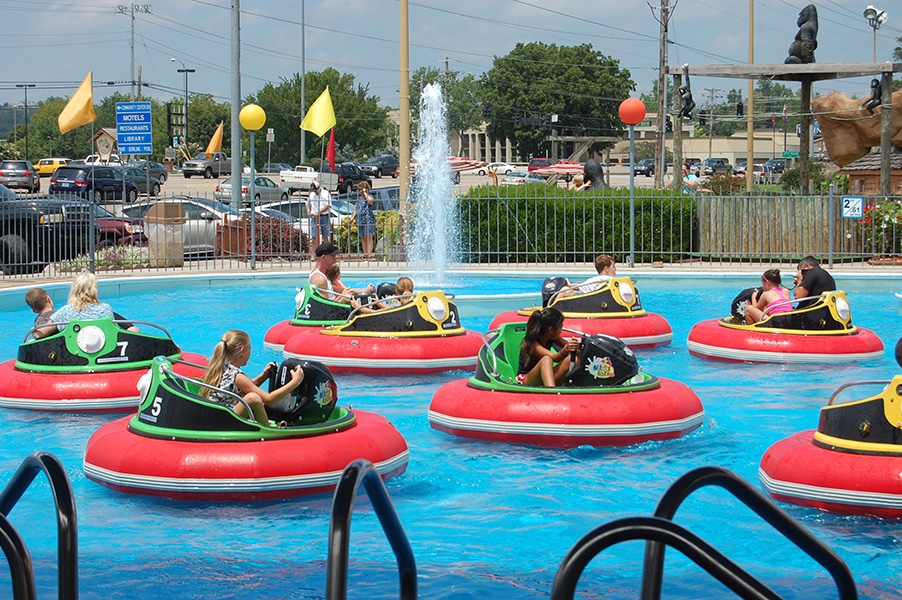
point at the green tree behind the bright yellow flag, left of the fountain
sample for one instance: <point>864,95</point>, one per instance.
<point>362,126</point>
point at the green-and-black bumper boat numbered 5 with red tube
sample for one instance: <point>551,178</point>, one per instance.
<point>181,446</point>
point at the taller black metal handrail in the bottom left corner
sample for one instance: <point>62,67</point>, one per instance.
<point>66,520</point>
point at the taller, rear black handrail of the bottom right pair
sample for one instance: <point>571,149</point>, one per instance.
<point>762,506</point>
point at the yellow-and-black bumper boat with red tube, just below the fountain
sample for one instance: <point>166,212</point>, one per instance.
<point>424,335</point>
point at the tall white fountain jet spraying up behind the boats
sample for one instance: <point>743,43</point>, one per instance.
<point>434,222</point>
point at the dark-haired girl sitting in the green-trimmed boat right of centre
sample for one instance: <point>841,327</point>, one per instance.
<point>539,364</point>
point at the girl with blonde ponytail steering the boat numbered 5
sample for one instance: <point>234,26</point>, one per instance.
<point>224,372</point>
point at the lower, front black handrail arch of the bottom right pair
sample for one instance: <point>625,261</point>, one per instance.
<point>662,531</point>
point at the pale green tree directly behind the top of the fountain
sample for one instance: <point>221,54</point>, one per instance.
<point>462,97</point>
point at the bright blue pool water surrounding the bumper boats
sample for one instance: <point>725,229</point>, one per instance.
<point>485,520</point>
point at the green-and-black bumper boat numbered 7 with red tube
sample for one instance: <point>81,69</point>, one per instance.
<point>92,365</point>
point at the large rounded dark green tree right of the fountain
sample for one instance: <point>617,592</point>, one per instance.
<point>581,86</point>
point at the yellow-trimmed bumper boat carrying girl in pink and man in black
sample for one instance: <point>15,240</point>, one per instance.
<point>820,333</point>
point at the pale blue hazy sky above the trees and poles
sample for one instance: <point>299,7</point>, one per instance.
<point>53,44</point>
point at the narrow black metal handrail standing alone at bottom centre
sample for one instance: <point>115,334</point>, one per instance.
<point>363,471</point>
